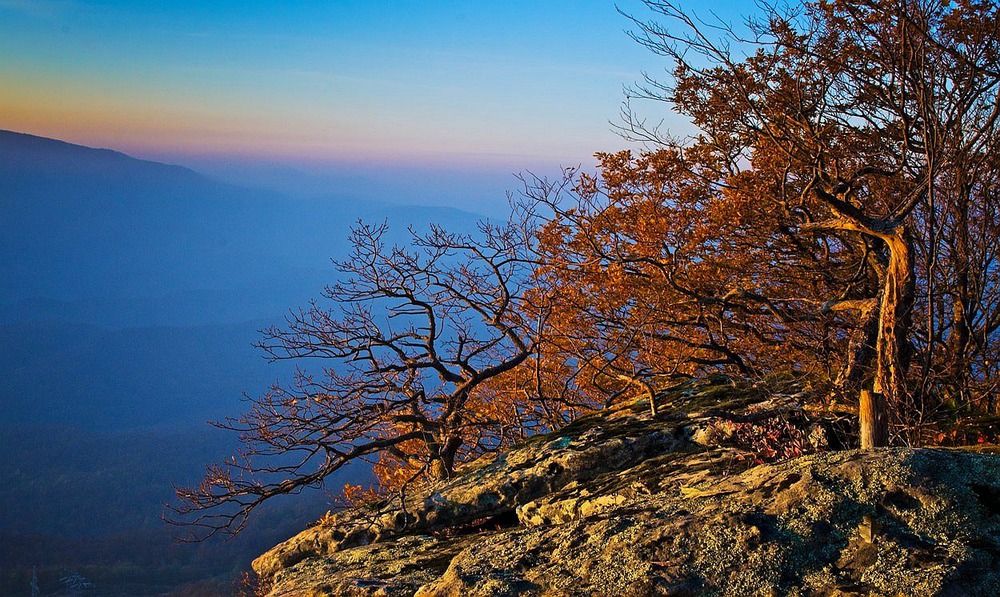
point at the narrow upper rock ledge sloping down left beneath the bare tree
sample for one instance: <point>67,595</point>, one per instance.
<point>489,491</point>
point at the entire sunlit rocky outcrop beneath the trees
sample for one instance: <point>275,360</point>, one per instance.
<point>620,504</point>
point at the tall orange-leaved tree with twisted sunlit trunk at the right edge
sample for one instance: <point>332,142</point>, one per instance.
<point>836,136</point>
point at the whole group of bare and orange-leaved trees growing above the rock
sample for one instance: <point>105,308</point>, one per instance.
<point>835,214</point>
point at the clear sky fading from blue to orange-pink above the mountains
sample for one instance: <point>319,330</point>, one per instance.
<point>460,85</point>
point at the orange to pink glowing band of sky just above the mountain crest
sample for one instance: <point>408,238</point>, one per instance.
<point>143,128</point>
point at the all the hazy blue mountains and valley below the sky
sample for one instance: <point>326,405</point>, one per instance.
<point>130,295</point>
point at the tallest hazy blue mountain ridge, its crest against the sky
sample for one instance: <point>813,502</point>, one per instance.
<point>96,234</point>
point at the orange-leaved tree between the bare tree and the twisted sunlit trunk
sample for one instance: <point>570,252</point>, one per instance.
<point>658,277</point>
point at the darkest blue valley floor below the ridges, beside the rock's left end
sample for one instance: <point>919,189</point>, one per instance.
<point>89,502</point>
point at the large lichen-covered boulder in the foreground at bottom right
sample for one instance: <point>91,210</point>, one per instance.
<point>815,525</point>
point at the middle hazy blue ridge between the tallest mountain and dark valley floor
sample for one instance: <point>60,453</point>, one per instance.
<point>125,378</point>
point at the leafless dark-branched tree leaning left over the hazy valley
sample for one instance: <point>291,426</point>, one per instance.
<point>409,346</point>
